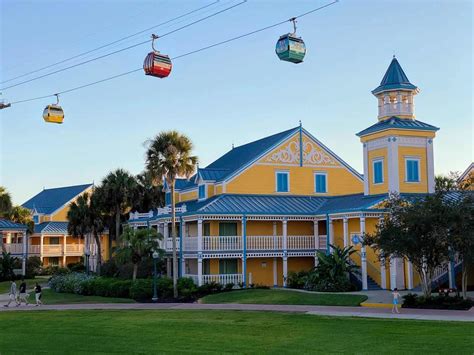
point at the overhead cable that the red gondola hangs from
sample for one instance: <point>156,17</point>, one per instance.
<point>124,49</point>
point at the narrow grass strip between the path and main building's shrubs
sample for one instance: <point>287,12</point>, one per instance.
<point>263,296</point>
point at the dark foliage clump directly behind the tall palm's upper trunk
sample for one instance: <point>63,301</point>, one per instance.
<point>149,193</point>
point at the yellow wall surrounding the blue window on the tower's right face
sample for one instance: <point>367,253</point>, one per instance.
<point>415,187</point>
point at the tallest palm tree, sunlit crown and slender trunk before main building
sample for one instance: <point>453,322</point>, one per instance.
<point>169,156</point>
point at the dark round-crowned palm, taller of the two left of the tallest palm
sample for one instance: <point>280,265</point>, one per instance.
<point>116,195</point>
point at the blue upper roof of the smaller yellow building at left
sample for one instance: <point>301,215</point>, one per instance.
<point>50,200</point>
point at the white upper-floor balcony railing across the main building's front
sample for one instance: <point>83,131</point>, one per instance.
<point>254,243</point>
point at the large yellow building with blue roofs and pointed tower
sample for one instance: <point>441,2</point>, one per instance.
<point>265,208</point>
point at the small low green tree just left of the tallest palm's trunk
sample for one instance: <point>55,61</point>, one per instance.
<point>137,245</point>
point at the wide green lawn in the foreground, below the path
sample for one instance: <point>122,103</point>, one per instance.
<point>173,331</point>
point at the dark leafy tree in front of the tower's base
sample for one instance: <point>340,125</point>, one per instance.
<point>416,230</point>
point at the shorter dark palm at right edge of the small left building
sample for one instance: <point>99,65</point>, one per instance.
<point>86,219</point>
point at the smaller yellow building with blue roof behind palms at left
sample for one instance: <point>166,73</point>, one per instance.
<point>51,240</point>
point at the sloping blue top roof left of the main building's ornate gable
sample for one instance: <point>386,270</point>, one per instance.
<point>239,157</point>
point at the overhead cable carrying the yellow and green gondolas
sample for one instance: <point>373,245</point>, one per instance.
<point>180,56</point>
